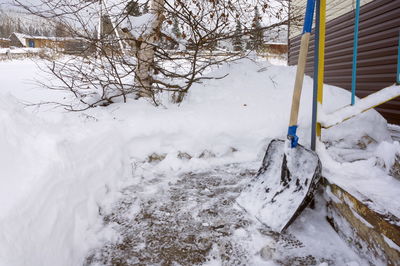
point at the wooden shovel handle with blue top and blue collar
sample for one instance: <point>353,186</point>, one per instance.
<point>301,64</point>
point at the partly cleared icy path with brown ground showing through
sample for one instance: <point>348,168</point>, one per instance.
<point>194,220</point>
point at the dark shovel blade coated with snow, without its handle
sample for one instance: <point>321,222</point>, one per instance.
<point>283,187</point>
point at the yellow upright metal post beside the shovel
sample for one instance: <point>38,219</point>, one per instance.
<point>321,55</point>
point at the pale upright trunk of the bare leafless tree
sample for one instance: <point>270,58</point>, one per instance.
<point>146,51</point>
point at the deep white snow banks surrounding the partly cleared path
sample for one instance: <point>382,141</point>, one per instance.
<point>62,171</point>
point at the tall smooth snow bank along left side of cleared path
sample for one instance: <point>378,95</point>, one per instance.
<point>55,180</point>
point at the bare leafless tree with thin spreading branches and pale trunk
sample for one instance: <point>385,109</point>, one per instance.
<point>127,54</point>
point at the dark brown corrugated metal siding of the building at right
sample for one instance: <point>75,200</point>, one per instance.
<point>377,53</point>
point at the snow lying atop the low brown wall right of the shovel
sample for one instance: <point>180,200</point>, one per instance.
<point>367,179</point>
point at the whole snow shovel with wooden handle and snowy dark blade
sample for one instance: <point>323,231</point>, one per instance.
<point>289,173</point>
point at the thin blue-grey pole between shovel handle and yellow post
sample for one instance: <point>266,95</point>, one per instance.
<point>315,79</point>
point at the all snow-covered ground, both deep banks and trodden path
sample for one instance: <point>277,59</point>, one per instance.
<point>65,174</point>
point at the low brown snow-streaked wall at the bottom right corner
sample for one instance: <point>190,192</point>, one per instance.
<point>374,235</point>
